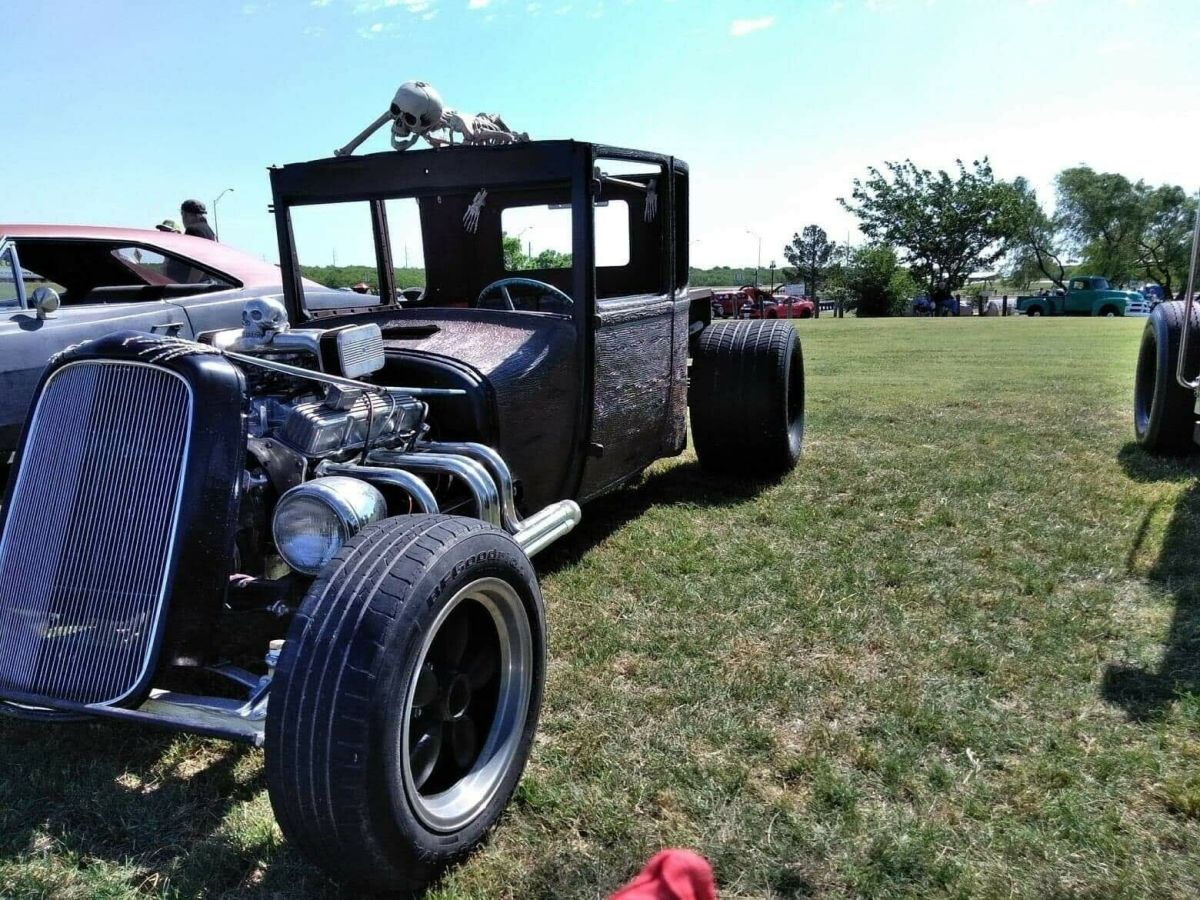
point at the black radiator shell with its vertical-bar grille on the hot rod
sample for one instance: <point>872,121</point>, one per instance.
<point>118,529</point>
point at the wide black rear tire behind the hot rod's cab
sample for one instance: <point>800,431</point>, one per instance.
<point>747,398</point>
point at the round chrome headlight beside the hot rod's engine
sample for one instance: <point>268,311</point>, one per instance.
<point>314,520</point>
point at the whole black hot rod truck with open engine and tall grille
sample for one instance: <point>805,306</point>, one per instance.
<point>314,533</point>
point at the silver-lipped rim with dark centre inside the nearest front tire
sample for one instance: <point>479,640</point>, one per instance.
<point>467,706</point>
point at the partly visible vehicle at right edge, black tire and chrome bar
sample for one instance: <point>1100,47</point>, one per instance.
<point>1167,383</point>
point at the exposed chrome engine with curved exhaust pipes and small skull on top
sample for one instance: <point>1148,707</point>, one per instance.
<point>314,421</point>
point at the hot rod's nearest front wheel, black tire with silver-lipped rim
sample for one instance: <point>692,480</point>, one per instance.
<point>406,700</point>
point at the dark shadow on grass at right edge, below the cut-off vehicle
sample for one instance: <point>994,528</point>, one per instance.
<point>1147,694</point>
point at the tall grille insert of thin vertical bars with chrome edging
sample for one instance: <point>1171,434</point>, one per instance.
<point>87,547</point>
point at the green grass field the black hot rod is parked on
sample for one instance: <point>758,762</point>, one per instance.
<point>955,653</point>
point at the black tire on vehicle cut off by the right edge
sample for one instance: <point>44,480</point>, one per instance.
<point>1163,411</point>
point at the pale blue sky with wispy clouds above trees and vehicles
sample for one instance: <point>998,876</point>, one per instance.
<point>117,112</point>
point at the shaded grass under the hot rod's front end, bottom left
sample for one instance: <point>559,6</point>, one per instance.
<point>153,805</point>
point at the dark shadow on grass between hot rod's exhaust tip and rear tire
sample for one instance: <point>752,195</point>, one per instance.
<point>686,484</point>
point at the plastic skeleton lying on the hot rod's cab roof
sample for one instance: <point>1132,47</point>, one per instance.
<point>418,112</point>
